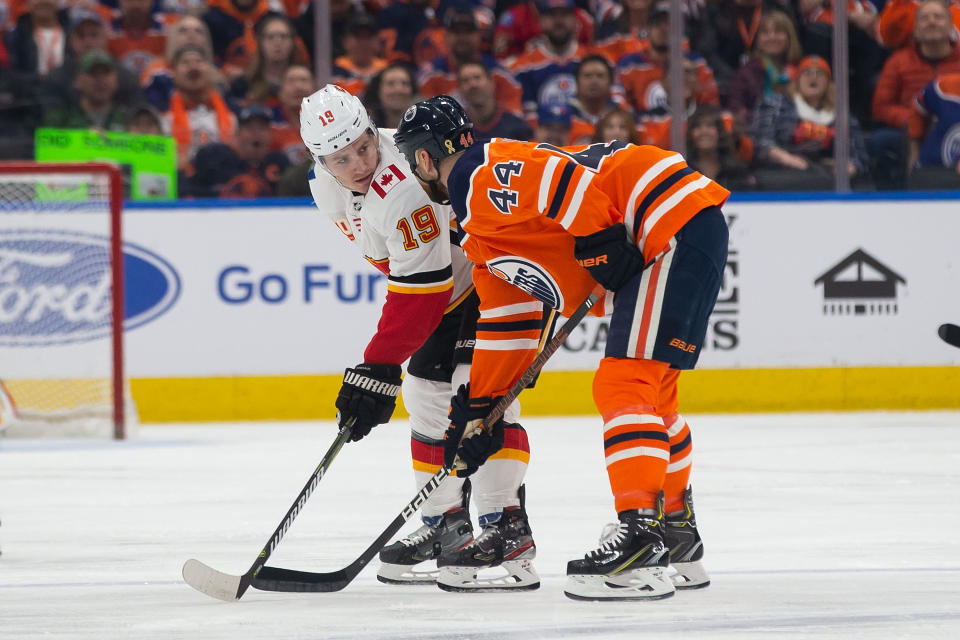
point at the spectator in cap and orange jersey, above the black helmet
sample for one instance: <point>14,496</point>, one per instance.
<point>463,39</point>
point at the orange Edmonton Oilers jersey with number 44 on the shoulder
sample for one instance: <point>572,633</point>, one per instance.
<point>519,206</point>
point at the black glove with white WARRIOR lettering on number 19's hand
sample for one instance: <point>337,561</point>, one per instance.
<point>368,396</point>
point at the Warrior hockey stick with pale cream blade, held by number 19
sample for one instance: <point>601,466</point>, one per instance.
<point>225,586</point>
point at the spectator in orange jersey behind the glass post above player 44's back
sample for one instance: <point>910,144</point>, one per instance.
<point>640,72</point>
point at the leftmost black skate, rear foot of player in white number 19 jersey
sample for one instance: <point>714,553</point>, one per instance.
<point>398,560</point>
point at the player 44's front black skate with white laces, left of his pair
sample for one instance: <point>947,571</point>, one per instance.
<point>630,564</point>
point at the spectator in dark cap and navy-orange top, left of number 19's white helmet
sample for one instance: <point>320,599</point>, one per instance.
<point>248,169</point>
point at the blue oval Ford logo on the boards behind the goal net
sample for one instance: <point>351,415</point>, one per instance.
<point>55,287</point>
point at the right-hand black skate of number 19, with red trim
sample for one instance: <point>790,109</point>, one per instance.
<point>506,544</point>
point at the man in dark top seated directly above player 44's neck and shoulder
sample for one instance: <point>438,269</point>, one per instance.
<point>477,92</point>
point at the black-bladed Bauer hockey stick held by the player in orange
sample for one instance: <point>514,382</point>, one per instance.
<point>278,579</point>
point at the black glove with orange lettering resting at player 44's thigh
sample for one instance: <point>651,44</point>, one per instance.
<point>609,256</point>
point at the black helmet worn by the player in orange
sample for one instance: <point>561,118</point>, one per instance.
<point>438,125</point>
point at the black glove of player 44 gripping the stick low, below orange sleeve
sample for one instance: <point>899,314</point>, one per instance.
<point>466,444</point>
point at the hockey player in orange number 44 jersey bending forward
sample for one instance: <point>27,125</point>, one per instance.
<point>550,221</point>
